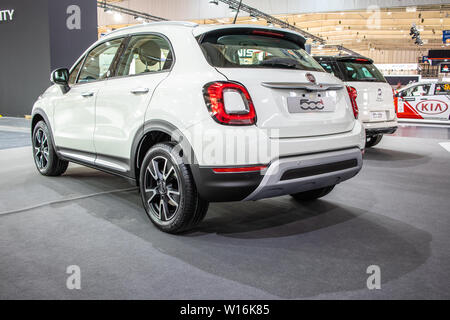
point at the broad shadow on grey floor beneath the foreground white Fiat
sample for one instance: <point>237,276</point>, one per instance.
<point>286,249</point>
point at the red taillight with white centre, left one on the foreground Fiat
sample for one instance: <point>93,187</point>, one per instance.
<point>229,103</point>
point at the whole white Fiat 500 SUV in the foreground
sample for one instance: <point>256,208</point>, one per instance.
<point>197,114</point>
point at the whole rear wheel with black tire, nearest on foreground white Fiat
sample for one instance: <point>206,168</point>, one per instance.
<point>169,195</point>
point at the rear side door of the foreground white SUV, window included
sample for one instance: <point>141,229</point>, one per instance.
<point>122,102</point>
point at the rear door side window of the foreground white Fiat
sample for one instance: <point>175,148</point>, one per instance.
<point>144,54</point>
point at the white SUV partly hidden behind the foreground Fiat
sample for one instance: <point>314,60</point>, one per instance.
<point>374,95</point>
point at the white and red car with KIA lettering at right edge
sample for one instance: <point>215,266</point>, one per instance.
<point>424,100</point>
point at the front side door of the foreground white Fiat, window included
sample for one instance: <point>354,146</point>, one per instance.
<point>74,113</point>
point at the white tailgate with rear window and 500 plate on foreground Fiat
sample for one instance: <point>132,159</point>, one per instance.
<point>291,93</point>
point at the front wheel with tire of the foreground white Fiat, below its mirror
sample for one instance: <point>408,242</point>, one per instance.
<point>45,158</point>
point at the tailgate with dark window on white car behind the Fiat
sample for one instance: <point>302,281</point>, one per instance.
<point>375,96</point>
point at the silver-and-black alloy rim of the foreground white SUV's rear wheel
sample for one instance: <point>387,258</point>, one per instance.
<point>162,188</point>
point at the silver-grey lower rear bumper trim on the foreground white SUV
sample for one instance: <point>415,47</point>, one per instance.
<point>273,185</point>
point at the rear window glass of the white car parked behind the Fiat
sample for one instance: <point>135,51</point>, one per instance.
<point>360,71</point>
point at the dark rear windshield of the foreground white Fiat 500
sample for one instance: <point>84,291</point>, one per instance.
<point>256,48</point>
